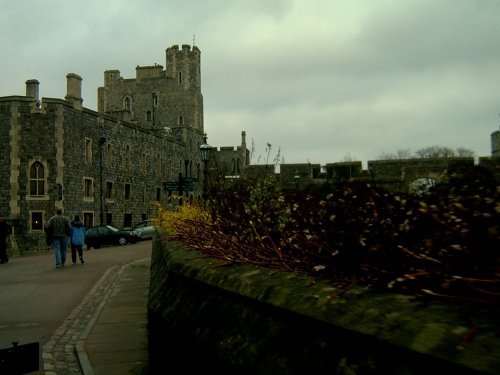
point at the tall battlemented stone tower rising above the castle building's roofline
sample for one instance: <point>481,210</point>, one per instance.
<point>167,101</point>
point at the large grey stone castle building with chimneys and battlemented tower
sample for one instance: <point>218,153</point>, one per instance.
<point>108,166</point>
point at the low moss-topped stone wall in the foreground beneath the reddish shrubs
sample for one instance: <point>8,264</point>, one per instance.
<point>237,319</point>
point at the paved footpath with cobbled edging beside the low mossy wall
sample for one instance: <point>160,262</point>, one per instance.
<point>107,333</point>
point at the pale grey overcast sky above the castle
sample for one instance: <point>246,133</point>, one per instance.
<point>321,80</point>
